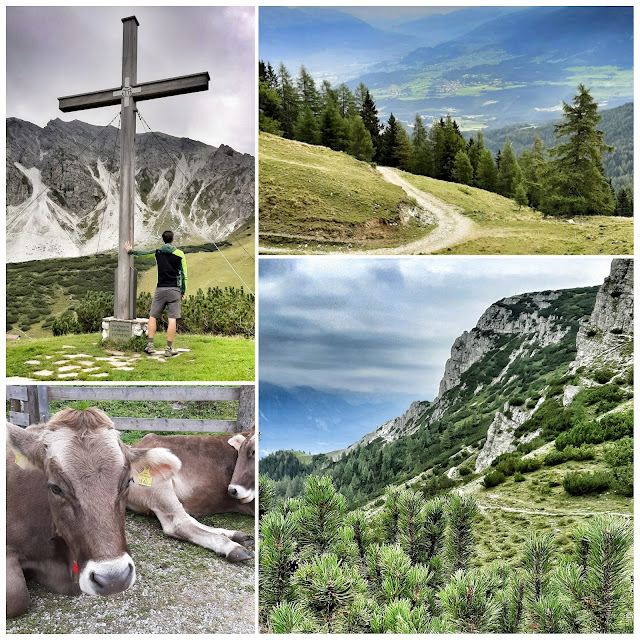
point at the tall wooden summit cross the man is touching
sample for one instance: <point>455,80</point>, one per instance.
<point>127,95</point>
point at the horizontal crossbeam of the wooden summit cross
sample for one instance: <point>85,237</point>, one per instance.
<point>157,89</point>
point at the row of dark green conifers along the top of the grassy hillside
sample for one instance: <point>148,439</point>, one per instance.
<point>566,179</point>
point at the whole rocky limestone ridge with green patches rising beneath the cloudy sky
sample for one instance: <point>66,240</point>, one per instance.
<point>587,328</point>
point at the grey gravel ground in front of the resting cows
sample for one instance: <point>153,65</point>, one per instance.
<point>180,588</point>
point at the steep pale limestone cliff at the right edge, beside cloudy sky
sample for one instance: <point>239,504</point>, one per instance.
<point>608,335</point>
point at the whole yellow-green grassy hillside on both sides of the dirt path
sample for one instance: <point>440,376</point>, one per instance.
<point>314,200</point>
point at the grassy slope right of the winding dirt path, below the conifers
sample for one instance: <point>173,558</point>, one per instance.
<point>506,230</point>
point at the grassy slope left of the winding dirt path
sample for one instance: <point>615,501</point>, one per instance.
<point>327,196</point>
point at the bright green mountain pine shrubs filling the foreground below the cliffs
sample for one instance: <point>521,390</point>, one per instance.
<point>407,568</point>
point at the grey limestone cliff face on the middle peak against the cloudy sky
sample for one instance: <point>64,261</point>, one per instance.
<point>515,316</point>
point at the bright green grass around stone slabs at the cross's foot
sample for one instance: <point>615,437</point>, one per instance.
<point>210,358</point>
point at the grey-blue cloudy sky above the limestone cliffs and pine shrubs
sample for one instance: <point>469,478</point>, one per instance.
<point>387,325</point>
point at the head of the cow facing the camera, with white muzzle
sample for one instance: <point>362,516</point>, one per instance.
<point>88,472</point>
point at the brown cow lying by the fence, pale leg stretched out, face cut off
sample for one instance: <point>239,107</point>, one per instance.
<point>217,476</point>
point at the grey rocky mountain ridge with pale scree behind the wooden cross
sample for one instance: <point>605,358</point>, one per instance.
<point>62,189</point>
